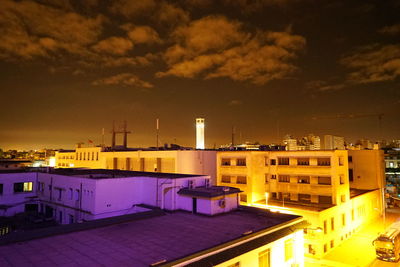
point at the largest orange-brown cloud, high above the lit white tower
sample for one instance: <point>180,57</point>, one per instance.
<point>217,47</point>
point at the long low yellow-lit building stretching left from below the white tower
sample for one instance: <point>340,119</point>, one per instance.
<point>164,161</point>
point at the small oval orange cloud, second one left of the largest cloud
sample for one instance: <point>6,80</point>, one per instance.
<point>114,45</point>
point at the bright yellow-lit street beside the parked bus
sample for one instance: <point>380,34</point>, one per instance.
<point>358,250</point>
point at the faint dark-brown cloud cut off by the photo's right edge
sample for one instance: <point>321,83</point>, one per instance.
<point>375,63</point>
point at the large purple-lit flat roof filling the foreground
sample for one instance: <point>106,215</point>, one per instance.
<point>146,241</point>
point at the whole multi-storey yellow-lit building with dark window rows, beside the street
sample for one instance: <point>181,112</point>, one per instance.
<point>336,191</point>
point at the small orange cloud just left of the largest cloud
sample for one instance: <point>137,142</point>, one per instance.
<point>142,34</point>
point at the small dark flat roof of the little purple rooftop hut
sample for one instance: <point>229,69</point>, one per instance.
<point>209,192</point>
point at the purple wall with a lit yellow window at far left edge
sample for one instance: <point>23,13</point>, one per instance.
<point>16,200</point>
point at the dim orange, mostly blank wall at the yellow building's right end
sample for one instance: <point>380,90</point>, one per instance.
<point>368,169</point>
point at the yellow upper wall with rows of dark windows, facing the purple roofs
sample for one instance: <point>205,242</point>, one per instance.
<point>260,174</point>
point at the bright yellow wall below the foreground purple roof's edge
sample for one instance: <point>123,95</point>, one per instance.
<point>277,253</point>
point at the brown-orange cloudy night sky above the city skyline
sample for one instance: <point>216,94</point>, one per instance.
<point>270,68</point>
